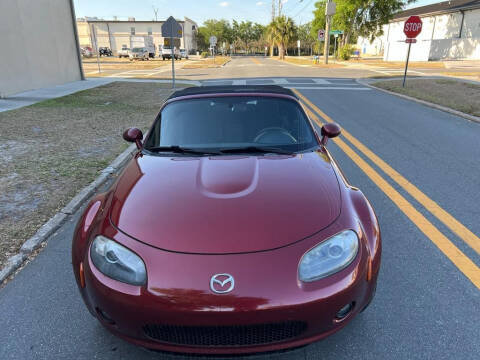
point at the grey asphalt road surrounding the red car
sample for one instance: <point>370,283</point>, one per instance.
<point>426,307</point>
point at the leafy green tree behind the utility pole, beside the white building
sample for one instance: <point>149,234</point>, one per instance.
<point>358,17</point>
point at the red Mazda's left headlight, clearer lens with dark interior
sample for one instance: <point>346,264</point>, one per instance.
<point>117,262</point>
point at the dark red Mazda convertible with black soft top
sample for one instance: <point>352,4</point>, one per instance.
<point>231,230</point>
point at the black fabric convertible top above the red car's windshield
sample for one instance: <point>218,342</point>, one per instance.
<point>197,90</point>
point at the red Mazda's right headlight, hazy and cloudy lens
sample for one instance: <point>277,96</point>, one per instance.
<point>329,257</point>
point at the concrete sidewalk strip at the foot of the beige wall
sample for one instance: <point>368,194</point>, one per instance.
<point>33,96</point>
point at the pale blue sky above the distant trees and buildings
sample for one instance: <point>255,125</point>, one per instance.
<point>200,10</point>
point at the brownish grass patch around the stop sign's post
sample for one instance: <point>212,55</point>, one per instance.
<point>458,95</point>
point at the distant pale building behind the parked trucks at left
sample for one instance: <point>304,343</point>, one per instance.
<point>115,33</point>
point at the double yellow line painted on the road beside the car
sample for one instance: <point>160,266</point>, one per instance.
<point>456,256</point>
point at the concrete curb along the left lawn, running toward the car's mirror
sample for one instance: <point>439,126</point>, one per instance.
<point>47,229</point>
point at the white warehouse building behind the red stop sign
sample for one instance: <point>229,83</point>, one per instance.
<point>451,30</point>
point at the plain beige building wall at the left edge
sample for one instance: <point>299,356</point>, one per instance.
<point>38,45</point>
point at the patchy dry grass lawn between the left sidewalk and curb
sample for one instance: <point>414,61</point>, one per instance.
<point>51,150</point>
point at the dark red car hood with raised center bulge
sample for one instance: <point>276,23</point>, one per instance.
<point>225,204</point>
